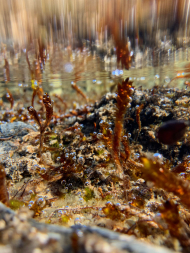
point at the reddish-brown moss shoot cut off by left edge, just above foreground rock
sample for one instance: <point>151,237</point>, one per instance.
<point>4,195</point>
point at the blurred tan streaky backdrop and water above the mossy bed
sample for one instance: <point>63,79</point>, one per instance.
<point>55,43</point>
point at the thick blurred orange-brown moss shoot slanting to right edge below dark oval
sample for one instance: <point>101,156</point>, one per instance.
<point>160,175</point>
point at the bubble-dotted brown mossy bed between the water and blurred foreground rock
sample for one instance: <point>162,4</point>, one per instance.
<point>101,164</point>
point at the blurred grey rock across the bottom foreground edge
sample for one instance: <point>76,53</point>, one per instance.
<point>20,233</point>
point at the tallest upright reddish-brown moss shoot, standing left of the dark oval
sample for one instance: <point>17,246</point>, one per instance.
<point>125,90</point>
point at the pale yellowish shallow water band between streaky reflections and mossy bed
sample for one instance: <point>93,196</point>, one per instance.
<point>94,75</point>
